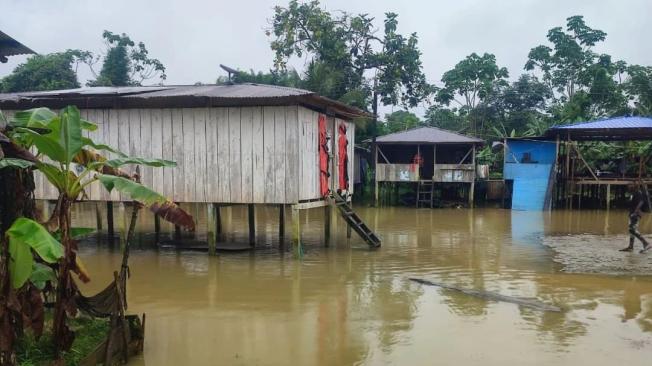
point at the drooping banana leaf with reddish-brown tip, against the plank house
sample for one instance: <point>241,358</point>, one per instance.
<point>157,203</point>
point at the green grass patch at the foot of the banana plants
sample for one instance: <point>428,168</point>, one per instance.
<point>89,333</point>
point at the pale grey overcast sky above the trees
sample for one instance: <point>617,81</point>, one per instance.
<point>192,37</point>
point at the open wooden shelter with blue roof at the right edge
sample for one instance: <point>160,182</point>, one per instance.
<point>576,178</point>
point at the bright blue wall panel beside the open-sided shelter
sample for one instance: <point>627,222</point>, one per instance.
<point>531,179</point>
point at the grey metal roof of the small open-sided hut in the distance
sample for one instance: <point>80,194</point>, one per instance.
<point>427,135</point>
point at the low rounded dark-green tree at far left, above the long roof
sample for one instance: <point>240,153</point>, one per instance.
<point>44,72</point>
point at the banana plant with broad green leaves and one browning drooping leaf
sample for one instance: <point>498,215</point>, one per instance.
<point>61,147</point>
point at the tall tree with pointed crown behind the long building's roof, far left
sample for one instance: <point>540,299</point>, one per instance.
<point>126,63</point>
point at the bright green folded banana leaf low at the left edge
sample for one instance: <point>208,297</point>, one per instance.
<point>24,236</point>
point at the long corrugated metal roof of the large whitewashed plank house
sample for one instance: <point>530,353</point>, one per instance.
<point>178,96</point>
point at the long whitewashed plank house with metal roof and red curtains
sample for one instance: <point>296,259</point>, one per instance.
<point>234,144</point>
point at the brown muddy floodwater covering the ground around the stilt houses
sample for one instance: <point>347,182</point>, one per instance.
<point>348,305</point>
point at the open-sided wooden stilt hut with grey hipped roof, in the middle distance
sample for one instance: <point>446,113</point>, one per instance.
<point>427,156</point>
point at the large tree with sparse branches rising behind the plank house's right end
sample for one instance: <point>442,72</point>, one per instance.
<point>363,65</point>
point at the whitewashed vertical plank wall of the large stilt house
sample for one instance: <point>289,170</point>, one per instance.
<point>224,155</point>
